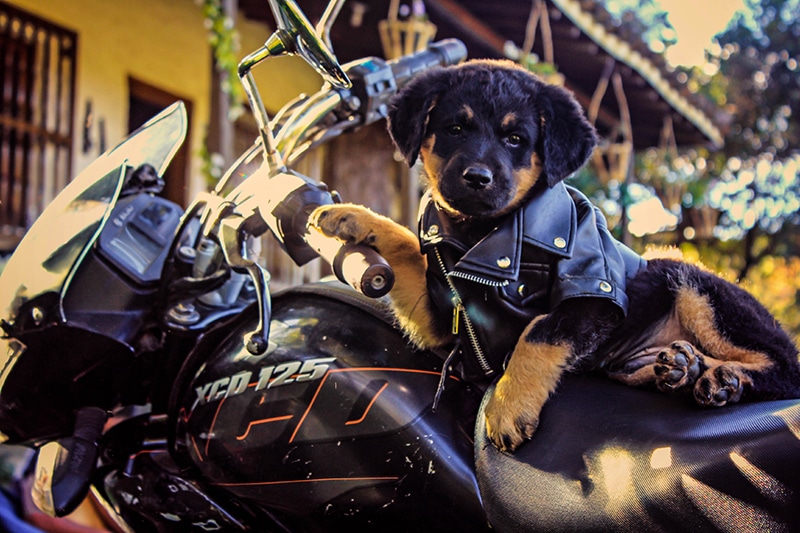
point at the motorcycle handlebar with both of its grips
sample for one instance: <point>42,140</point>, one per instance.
<point>375,82</point>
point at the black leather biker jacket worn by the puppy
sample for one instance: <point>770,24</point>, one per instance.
<point>555,247</point>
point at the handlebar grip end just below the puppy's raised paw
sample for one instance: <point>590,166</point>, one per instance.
<point>364,269</point>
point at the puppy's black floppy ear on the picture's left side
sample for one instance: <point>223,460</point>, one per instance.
<point>408,111</point>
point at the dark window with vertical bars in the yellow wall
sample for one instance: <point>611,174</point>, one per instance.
<point>37,80</point>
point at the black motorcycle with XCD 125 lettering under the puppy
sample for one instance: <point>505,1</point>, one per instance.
<point>147,362</point>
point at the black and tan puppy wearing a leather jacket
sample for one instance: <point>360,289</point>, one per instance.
<point>520,270</point>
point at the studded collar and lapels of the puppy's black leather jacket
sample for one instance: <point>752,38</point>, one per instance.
<point>548,221</point>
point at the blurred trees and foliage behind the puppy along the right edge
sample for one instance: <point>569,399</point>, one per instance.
<point>753,182</point>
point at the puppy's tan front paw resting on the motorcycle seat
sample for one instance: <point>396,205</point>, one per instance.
<point>512,414</point>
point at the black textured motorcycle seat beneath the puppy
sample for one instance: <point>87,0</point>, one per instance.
<point>607,457</point>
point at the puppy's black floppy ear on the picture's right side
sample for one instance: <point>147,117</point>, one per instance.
<point>567,137</point>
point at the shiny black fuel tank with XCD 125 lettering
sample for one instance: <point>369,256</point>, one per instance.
<point>333,427</point>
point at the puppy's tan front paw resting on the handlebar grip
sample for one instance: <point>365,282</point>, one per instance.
<point>347,222</point>
